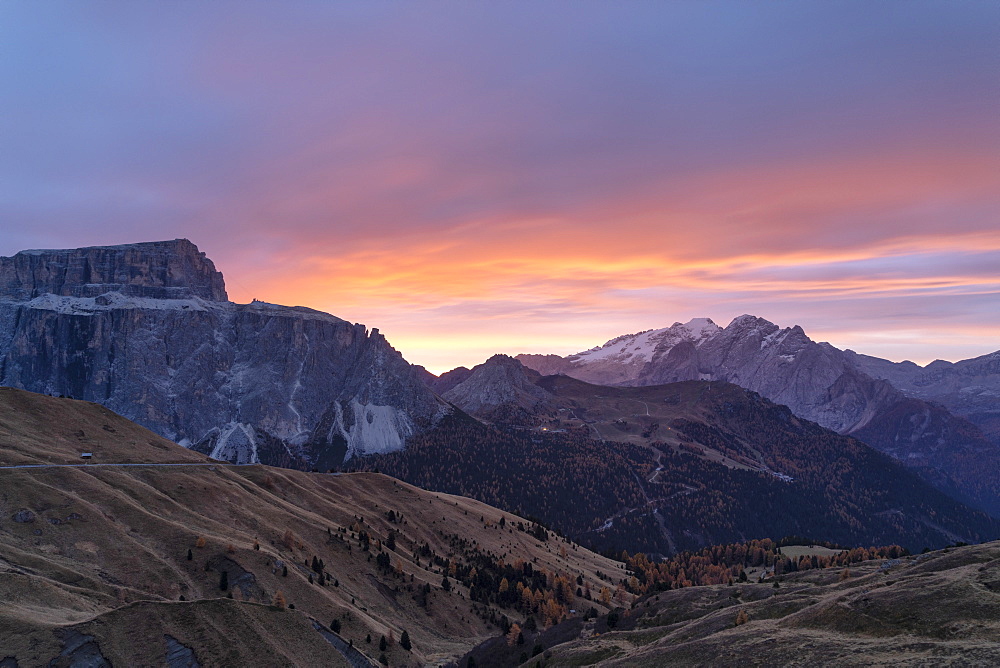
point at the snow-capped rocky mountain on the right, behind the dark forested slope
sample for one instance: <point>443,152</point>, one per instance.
<point>838,389</point>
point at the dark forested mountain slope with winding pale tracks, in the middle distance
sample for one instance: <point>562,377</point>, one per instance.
<point>679,466</point>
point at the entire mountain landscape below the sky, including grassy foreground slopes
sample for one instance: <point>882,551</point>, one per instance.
<point>664,444</point>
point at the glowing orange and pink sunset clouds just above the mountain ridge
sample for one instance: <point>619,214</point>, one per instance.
<point>774,241</point>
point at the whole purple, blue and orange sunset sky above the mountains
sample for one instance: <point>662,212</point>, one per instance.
<point>474,177</point>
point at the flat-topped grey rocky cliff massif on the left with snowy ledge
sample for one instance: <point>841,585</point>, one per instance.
<point>145,329</point>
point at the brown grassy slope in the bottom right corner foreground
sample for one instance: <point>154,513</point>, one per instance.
<point>942,608</point>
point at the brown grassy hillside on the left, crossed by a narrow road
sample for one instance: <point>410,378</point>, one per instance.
<point>101,551</point>
